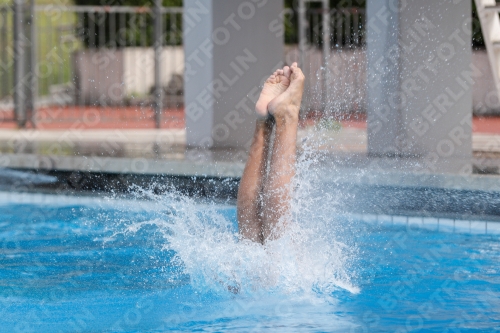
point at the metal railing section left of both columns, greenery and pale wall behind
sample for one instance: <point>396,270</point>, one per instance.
<point>94,61</point>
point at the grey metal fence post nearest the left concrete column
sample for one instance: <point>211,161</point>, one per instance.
<point>158,46</point>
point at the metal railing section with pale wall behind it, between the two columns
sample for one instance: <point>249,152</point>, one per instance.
<point>333,59</point>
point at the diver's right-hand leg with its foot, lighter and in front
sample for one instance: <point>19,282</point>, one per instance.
<point>277,189</point>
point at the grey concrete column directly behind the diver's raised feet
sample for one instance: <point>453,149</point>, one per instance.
<point>230,47</point>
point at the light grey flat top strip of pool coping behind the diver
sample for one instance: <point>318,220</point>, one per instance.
<point>231,169</point>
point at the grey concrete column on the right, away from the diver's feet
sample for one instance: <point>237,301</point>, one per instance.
<point>420,82</point>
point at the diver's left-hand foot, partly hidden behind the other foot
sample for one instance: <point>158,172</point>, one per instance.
<point>275,85</point>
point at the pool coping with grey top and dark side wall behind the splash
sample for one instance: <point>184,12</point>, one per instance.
<point>218,179</point>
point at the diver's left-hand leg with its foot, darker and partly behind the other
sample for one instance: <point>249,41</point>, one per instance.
<point>250,219</point>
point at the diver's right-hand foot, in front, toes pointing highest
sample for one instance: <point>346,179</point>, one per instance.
<point>287,105</point>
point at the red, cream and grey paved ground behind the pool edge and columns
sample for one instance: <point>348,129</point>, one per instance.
<point>129,133</point>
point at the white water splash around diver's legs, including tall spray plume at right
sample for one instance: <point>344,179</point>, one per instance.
<point>308,260</point>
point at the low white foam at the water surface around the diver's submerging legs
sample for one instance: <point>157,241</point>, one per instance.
<point>209,250</point>
